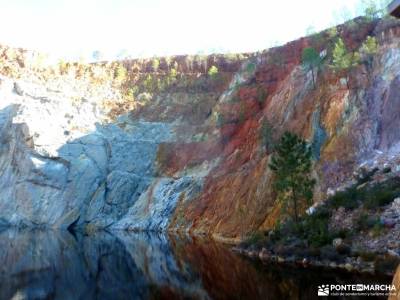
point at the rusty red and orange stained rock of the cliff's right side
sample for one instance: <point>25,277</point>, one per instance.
<point>237,196</point>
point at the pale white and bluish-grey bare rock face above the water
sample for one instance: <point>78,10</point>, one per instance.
<point>61,165</point>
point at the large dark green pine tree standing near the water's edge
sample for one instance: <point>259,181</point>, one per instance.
<point>292,164</point>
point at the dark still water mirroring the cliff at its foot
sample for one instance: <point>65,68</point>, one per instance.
<point>59,265</point>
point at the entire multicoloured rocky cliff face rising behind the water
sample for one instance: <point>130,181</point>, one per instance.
<point>163,145</point>
